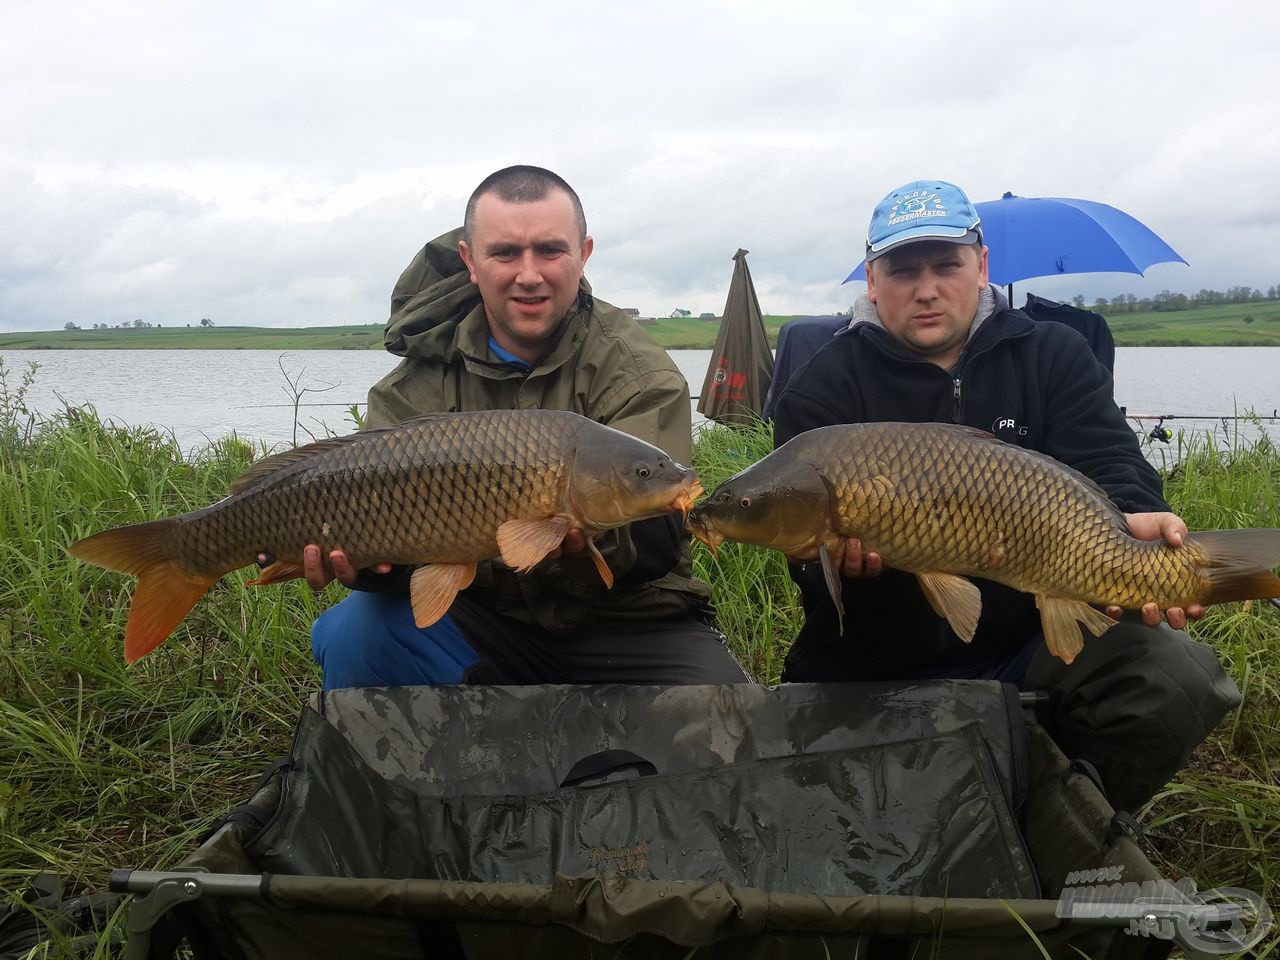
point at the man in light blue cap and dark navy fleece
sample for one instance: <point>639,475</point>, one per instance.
<point>932,341</point>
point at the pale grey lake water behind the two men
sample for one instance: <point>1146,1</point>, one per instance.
<point>204,395</point>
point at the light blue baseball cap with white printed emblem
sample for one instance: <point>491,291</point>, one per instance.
<point>922,211</point>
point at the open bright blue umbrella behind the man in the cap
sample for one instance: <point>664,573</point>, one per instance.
<point>1050,236</point>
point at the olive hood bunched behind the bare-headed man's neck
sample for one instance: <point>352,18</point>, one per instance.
<point>433,296</point>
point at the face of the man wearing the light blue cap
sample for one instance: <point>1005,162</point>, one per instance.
<point>927,295</point>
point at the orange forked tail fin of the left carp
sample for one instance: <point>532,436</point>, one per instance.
<point>166,593</point>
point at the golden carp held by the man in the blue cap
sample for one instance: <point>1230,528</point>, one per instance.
<point>947,502</point>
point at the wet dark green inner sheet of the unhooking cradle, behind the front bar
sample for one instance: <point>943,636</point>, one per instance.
<point>797,789</point>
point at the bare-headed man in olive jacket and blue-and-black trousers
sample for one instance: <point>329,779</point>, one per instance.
<point>497,317</point>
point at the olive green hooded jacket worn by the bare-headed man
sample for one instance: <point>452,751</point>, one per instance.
<point>602,367</point>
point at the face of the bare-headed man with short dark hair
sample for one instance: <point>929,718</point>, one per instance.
<point>528,260</point>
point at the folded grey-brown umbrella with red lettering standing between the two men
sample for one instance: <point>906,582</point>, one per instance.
<point>738,378</point>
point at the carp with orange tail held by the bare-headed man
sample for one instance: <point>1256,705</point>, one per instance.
<point>444,491</point>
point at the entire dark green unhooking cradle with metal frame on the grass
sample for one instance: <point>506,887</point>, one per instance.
<point>738,822</point>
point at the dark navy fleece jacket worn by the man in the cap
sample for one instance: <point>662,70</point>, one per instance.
<point>1036,385</point>
